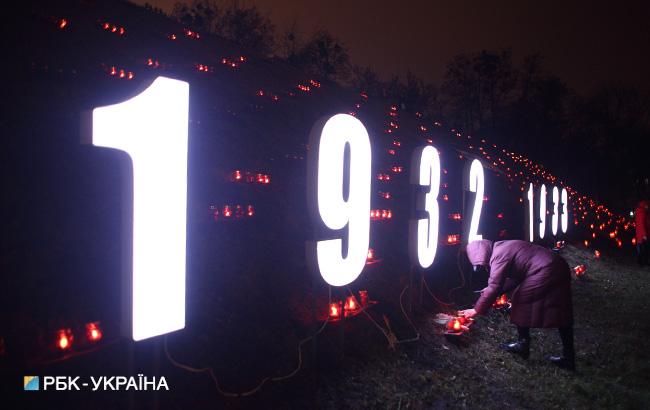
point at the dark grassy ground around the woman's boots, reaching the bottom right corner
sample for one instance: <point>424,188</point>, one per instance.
<point>611,313</point>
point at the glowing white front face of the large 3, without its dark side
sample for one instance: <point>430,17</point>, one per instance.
<point>427,229</point>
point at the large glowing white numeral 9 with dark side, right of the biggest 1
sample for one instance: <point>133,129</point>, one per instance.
<point>328,141</point>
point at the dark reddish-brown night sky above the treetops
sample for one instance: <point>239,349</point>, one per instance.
<point>586,43</point>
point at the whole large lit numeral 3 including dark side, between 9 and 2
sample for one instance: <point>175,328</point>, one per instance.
<point>423,236</point>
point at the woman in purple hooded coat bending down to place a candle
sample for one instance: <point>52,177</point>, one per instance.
<point>541,280</point>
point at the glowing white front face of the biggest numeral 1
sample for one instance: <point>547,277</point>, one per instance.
<point>152,129</point>
